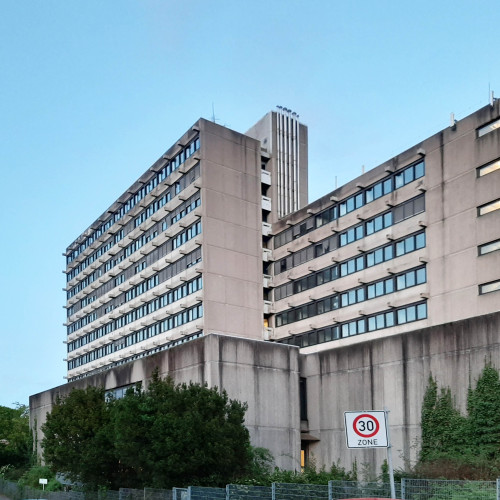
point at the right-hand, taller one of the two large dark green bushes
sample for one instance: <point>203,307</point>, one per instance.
<point>175,435</point>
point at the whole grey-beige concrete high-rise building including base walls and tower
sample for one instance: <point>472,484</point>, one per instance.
<point>215,268</point>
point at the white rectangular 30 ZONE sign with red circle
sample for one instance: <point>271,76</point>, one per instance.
<point>365,429</point>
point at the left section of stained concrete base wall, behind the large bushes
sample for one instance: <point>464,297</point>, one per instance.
<point>262,374</point>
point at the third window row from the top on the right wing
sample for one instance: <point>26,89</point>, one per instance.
<point>378,255</point>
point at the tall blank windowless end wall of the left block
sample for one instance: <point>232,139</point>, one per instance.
<point>232,228</point>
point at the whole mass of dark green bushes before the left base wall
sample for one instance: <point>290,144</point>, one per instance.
<point>167,435</point>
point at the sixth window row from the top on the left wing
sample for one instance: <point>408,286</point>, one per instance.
<point>143,310</point>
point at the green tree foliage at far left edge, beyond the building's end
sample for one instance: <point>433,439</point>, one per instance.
<point>16,445</point>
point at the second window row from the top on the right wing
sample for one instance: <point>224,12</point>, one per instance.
<point>382,221</point>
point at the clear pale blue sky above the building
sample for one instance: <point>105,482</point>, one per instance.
<point>93,92</point>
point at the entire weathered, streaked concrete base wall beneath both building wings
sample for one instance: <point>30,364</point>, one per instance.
<point>390,372</point>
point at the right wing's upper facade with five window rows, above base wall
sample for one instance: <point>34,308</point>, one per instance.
<point>439,200</point>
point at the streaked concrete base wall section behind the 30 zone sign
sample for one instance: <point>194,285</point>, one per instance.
<point>393,372</point>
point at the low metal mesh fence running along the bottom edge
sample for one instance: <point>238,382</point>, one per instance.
<point>407,489</point>
